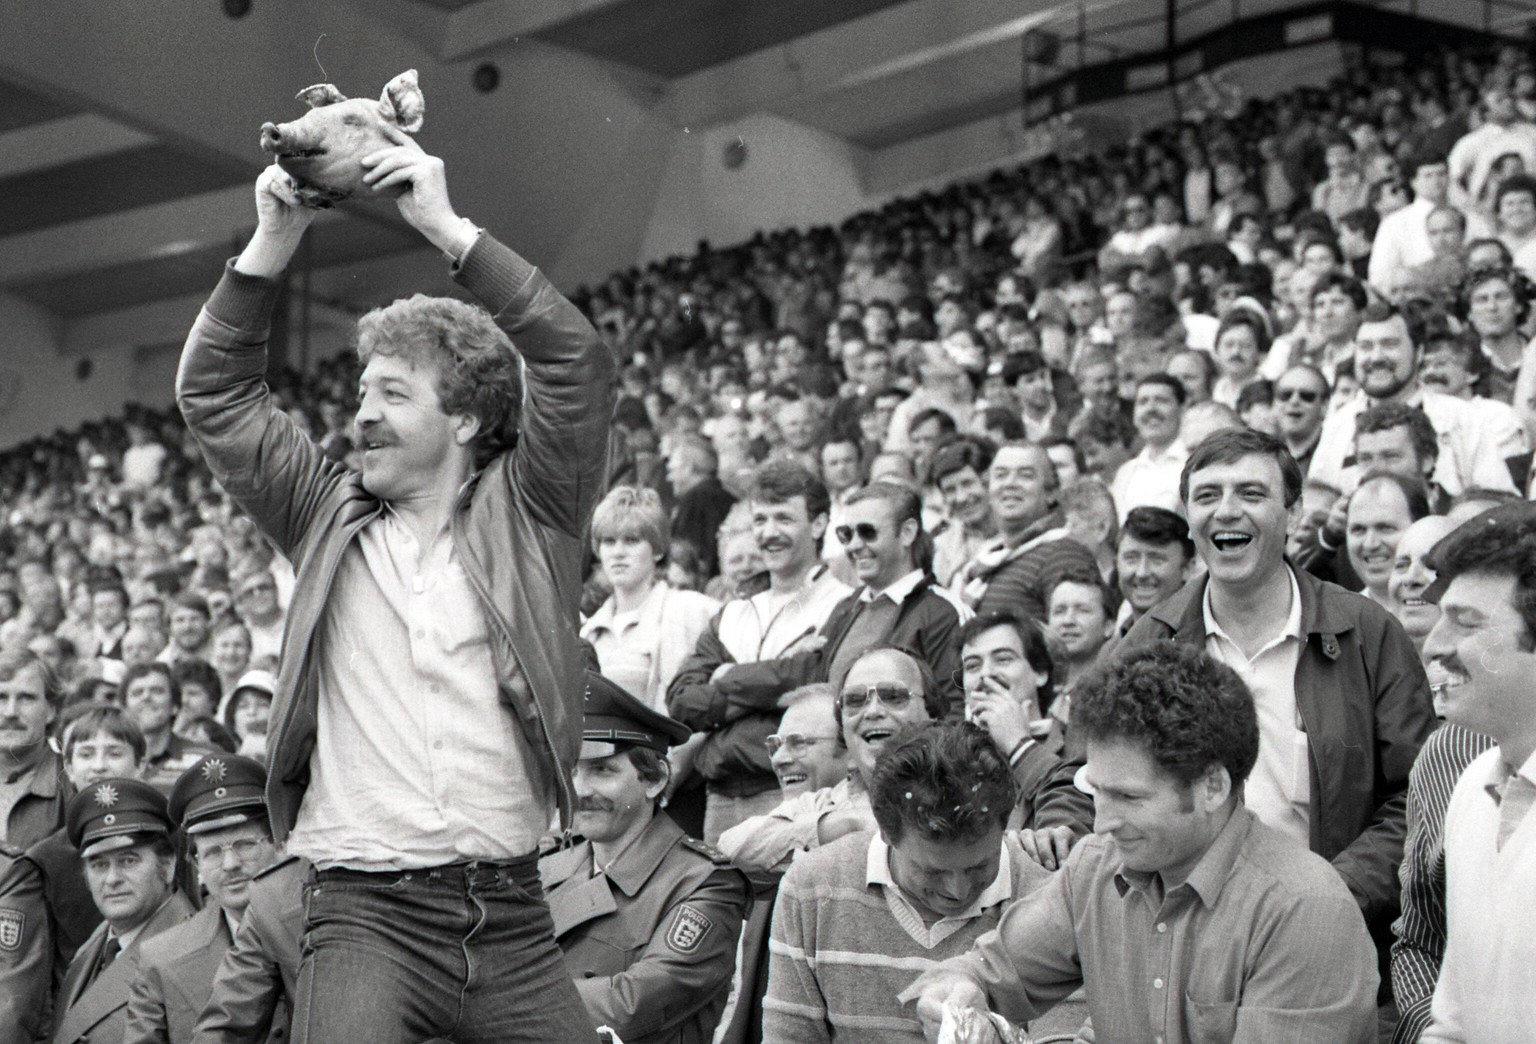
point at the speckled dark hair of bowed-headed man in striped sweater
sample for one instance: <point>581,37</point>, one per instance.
<point>945,781</point>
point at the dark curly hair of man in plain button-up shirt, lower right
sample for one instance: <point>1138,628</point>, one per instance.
<point>1187,709</point>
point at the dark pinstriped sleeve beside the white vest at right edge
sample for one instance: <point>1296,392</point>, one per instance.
<point>1420,945</point>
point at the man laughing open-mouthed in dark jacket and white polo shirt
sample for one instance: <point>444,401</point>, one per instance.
<point>1343,702</point>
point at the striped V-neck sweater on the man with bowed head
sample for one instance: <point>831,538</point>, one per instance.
<point>846,942</point>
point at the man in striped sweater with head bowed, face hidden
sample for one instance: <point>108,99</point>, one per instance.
<point>856,917</point>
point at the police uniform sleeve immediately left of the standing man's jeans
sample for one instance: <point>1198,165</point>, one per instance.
<point>254,985</point>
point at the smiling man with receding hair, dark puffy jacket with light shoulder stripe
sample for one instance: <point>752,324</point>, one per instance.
<point>1033,546</point>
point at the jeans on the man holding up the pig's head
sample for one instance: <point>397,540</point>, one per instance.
<point>462,953</point>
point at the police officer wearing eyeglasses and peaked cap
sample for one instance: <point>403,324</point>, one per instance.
<point>222,814</point>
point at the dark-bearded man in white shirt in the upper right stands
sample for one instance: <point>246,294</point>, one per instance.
<point>1388,355</point>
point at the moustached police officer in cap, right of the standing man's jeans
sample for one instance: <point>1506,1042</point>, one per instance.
<point>646,917</point>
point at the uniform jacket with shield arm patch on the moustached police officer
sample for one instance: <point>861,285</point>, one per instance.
<point>652,939</point>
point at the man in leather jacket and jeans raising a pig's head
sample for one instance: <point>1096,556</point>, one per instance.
<point>445,577</point>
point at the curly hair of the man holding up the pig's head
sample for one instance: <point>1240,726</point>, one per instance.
<point>478,371</point>
